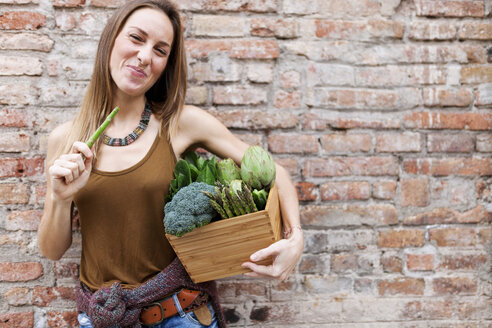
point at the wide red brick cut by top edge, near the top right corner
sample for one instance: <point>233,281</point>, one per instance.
<point>450,8</point>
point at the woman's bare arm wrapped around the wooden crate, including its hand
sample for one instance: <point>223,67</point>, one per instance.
<point>197,127</point>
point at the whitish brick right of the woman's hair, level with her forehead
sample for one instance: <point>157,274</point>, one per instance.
<point>217,25</point>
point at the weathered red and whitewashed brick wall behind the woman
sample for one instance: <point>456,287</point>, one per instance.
<point>380,110</point>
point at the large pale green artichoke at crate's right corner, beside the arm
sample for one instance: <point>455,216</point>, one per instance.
<point>258,168</point>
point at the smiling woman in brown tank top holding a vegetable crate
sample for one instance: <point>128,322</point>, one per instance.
<point>120,185</point>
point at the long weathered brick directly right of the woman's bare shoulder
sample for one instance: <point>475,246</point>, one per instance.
<point>256,119</point>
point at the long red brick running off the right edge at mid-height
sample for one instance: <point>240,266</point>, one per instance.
<point>449,166</point>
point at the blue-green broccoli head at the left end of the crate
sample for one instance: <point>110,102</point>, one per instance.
<point>189,209</point>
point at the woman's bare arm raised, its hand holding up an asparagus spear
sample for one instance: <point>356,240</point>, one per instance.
<point>64,178</point>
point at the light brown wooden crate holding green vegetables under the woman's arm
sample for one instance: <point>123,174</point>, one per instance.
<point>218,249</point>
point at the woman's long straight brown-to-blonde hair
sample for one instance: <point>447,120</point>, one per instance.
<point>166,96</point>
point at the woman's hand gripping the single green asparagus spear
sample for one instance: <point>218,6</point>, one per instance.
<point>70,172</point>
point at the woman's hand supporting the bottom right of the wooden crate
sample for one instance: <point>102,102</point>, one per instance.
<point>285,254</point>
